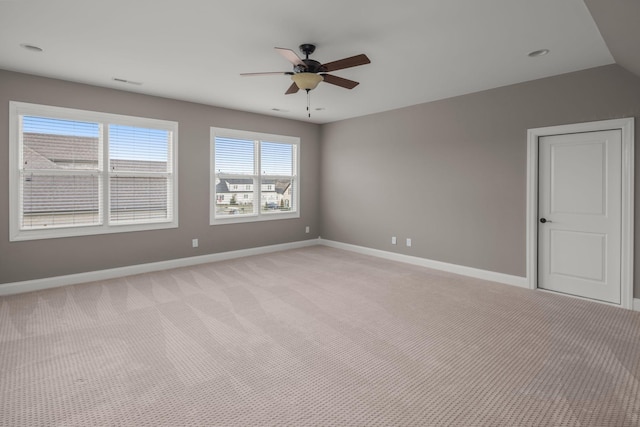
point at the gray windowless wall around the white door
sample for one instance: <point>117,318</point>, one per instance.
<point>451,174</point>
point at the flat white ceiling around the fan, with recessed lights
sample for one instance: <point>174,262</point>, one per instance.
<point>194,50</point>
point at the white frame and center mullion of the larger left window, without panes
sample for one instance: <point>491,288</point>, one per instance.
<point>18,109</point>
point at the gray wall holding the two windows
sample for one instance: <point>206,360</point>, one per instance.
<point>53,257</point>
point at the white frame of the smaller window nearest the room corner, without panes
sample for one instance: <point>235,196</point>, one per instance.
<point>257,137</point>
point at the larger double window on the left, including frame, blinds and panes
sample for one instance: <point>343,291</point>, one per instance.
<point>77,172</point>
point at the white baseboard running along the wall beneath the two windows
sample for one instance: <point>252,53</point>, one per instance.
<point>112,273</point>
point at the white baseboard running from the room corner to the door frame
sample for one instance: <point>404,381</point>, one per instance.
<point>436,265</point>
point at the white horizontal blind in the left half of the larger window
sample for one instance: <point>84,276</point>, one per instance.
<point>60,173</point>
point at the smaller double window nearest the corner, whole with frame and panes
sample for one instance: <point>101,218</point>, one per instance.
<point>265,165</point>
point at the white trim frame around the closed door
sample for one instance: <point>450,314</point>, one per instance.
<point>626,126</point>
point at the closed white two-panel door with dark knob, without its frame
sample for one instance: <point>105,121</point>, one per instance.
<point>579,214</point>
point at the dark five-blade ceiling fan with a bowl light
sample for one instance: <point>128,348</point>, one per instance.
<point>308,73</point>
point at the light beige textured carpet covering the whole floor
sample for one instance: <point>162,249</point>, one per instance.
<point>315,336</point>
